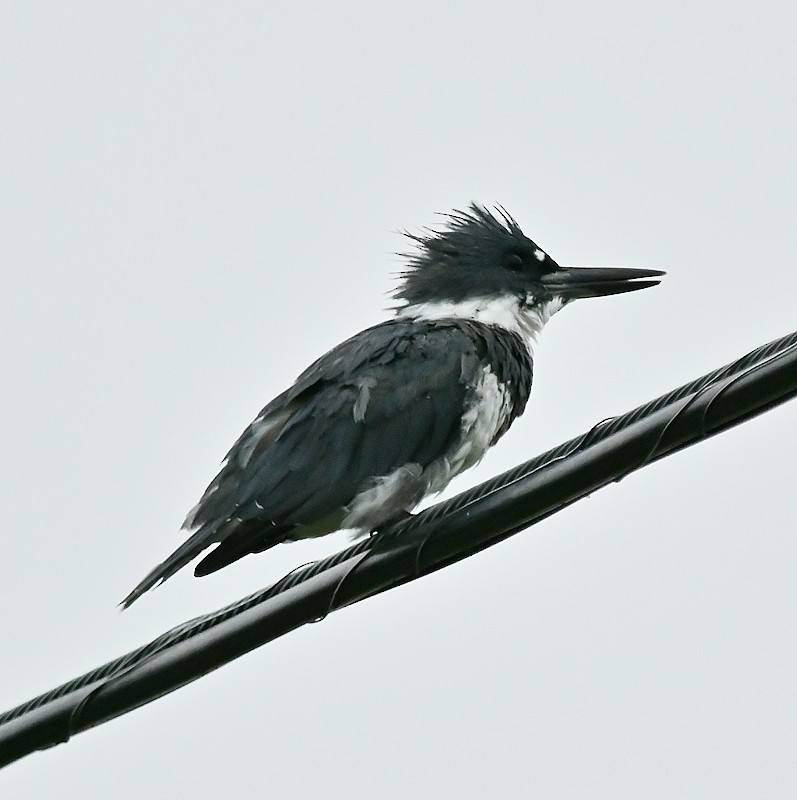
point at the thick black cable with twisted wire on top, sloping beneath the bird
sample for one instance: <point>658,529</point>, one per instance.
<point>432,539</point>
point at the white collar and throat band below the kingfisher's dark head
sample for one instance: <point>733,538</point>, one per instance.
<point>510,313</point>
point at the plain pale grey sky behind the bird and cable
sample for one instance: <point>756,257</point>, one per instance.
<point>199,198</point>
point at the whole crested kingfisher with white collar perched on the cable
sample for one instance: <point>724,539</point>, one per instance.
<point>392,414</point>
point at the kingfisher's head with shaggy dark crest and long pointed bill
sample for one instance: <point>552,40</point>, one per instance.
<point>479,260</point>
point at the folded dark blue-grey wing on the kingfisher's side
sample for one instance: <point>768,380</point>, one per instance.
<point>390,396</point>
